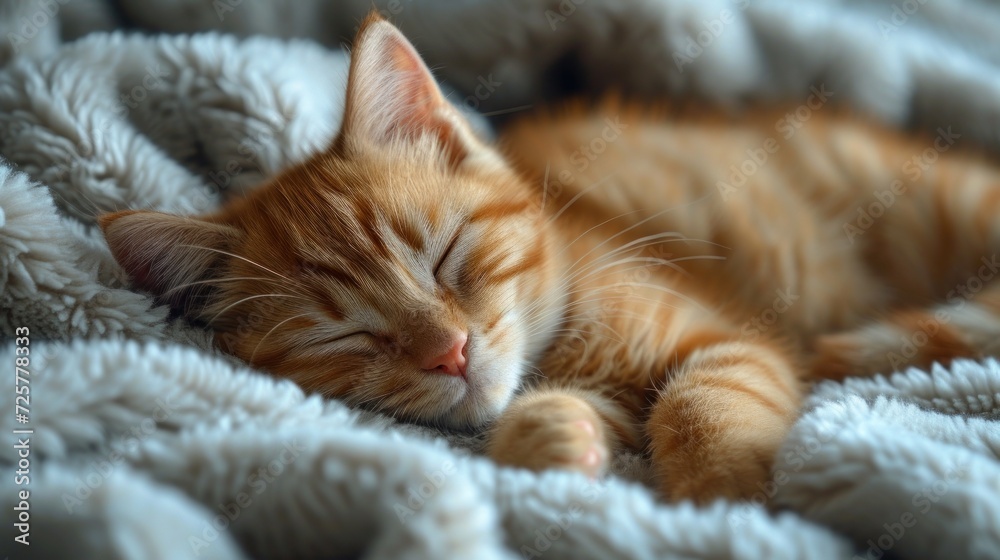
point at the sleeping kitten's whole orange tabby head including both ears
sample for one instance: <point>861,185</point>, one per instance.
<point>405,269</point>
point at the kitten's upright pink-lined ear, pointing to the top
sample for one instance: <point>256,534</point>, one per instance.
<point>391,96</point>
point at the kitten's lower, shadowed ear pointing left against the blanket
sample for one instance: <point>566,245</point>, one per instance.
<point>164,254</point>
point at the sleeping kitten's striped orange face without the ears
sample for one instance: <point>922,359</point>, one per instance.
<point>404,284</point>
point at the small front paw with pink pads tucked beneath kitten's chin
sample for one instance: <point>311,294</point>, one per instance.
<point>551,431</point>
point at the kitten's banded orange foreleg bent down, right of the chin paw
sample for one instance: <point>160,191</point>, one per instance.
<point>719,421</point>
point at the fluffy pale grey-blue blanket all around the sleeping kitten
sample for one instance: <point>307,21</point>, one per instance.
<point>147,443</point>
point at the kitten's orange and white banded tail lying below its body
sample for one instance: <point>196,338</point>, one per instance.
<point>967,325</point>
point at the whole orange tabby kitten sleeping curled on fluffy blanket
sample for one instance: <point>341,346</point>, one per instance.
<point>606,279</point>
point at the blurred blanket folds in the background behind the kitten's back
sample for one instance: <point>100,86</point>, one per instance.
<point>928,63</point>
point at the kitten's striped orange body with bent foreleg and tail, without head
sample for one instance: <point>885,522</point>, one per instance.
<point>836,236</point>
